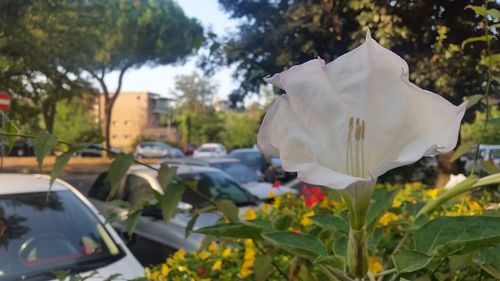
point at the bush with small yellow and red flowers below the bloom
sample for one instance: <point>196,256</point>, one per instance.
<point>320,213</point>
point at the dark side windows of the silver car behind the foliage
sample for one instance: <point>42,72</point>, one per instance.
<point>214,185</point>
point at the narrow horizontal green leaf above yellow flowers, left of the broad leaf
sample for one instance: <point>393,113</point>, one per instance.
<point>238,230</point>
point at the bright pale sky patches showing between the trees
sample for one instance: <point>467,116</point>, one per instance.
<point>161,79</point>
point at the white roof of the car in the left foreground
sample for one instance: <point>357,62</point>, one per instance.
<point>25,183</point>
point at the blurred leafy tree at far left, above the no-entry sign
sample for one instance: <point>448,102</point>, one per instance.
<point>40,55</point>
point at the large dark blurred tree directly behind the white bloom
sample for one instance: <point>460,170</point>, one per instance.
<point>274,35</point>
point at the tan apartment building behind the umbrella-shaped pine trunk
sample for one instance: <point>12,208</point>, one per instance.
<point>136,115</point>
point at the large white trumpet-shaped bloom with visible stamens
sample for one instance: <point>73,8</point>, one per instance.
<point>352,120</point>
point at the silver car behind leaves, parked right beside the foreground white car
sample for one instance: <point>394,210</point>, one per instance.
<point>154,240</point>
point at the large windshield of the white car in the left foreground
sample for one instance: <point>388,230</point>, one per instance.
<point>41,233</point>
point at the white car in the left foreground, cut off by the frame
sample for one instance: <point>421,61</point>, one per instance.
<point>42,232</point>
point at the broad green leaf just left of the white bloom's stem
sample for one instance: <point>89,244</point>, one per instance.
<point>297,244</point>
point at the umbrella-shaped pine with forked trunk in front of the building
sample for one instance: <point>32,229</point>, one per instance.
<point>137,33</point>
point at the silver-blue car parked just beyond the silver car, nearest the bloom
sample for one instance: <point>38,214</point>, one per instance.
<point>246,176</point>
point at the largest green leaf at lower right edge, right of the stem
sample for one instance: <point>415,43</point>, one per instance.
<point>444,236</point>
